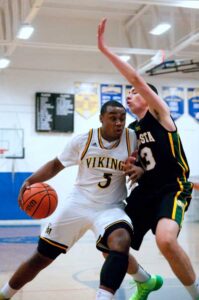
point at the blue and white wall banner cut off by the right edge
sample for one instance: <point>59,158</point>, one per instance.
<point>193,102</point>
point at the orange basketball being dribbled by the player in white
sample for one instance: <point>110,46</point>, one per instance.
<point>39,200</point>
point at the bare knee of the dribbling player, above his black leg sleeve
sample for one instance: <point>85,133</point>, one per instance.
<point>119,240</point>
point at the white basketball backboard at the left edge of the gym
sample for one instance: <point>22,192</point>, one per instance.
<point>11,143</point>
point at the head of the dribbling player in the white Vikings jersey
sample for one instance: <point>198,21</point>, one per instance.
<point>112,117</point>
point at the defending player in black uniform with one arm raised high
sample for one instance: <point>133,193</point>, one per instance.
<point>164,192</point>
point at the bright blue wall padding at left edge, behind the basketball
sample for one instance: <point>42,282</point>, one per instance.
<point>10,184</point>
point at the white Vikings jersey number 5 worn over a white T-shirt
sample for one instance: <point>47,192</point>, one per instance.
<point>100,178</point>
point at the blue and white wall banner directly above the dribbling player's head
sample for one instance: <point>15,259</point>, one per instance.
<point>110,92</point>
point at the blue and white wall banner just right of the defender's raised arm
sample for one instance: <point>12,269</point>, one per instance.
<point>174,97</point>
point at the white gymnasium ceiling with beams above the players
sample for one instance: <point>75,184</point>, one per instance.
<point>66,30</point>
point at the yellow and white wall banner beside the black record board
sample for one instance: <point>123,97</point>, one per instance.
<point>86,99</point>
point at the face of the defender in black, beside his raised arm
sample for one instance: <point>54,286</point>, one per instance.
<point>135,102</point>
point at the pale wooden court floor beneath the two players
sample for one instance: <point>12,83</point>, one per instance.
<point>75,276</point>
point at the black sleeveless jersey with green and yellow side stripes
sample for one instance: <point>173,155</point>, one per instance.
<point>160,153</point>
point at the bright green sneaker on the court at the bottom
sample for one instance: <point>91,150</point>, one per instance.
<point>144,289</point>
